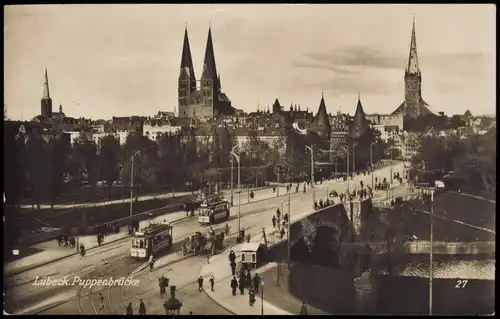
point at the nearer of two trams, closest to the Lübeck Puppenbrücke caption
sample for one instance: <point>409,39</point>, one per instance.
<point>150,240</point>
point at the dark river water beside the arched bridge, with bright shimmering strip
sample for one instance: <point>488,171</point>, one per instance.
<point>461,285</point>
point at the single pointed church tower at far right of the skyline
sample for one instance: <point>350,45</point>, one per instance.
<point>413,80</point>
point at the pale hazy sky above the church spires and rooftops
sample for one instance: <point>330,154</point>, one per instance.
<point>122,60</point>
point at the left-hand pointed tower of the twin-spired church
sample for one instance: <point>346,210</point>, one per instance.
<point>187,78</point>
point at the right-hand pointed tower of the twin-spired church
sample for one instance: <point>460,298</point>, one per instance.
<point>209,80</point>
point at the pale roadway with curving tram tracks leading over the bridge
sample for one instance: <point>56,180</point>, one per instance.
<point>21,293</point>
